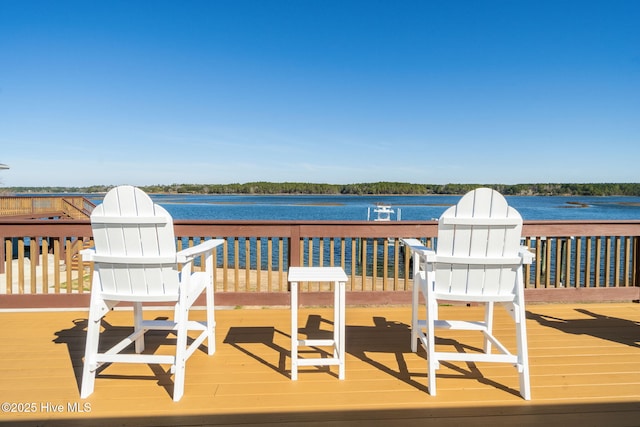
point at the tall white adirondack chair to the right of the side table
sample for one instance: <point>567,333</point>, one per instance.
<point>478,258</point>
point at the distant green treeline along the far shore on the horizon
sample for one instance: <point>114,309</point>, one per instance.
<point>374,188</point>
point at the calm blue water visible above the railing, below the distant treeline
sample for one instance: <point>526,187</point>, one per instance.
<point>336,207</point>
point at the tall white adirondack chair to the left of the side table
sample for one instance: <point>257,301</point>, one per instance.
<point>135,260</point>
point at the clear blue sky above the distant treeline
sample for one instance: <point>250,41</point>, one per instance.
<point>224,91</point>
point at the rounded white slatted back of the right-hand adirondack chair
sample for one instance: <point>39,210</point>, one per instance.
<point>478,248</point>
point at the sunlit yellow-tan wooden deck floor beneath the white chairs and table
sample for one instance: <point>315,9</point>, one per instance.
<point>585,370</point>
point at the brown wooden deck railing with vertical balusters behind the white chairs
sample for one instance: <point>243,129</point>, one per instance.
<point>42,257</point>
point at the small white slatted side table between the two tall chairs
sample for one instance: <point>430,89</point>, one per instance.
<point>319,274</point>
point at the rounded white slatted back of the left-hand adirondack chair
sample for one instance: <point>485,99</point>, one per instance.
<point>135,248</point>
